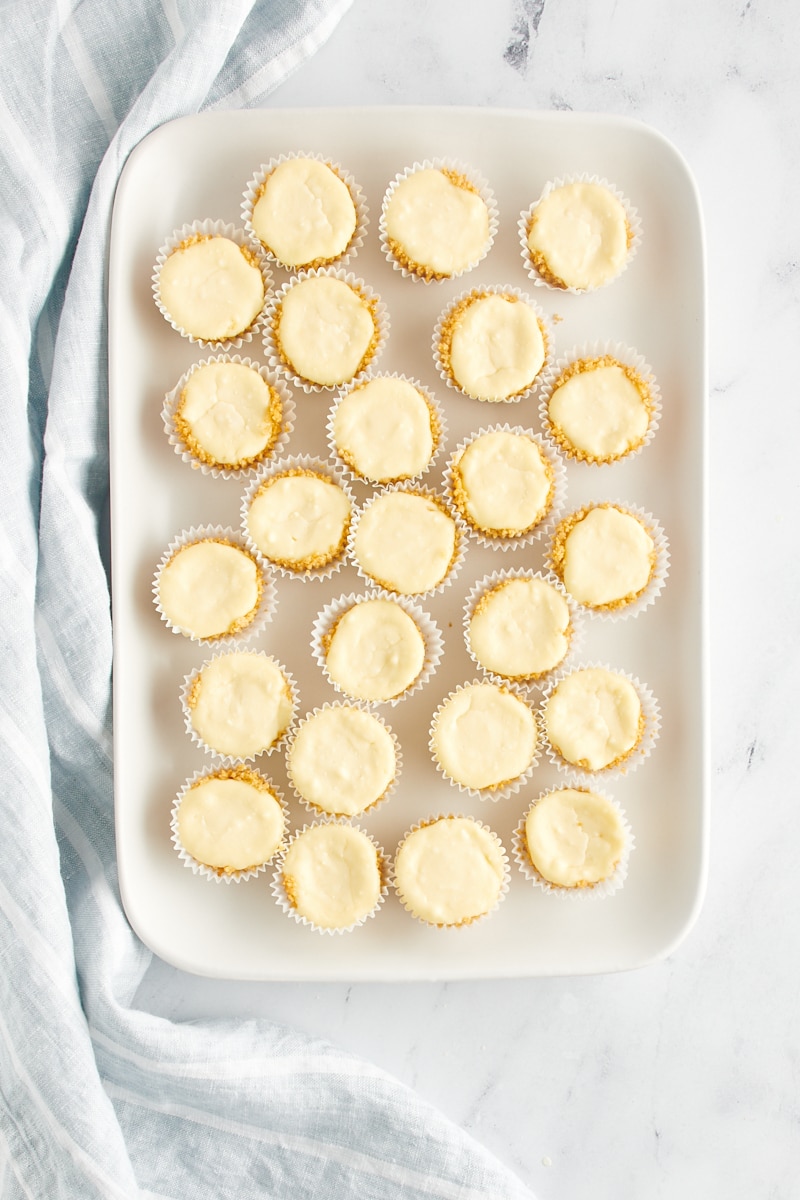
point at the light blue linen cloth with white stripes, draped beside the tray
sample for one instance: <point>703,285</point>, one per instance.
<point>97,1099</point>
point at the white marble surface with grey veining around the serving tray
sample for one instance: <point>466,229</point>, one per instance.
<point>679,1081</point>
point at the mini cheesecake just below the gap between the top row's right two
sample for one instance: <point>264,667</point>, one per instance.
<point>492,345</point>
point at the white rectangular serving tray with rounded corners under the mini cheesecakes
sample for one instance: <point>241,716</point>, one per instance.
<point>199,167</point>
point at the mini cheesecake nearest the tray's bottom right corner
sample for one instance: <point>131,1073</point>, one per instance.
<point>575,838</point>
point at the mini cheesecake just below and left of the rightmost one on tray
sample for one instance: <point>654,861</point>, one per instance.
<point>520,628</point>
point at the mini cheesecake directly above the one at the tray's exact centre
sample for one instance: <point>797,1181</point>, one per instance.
<point>386,430</point>
